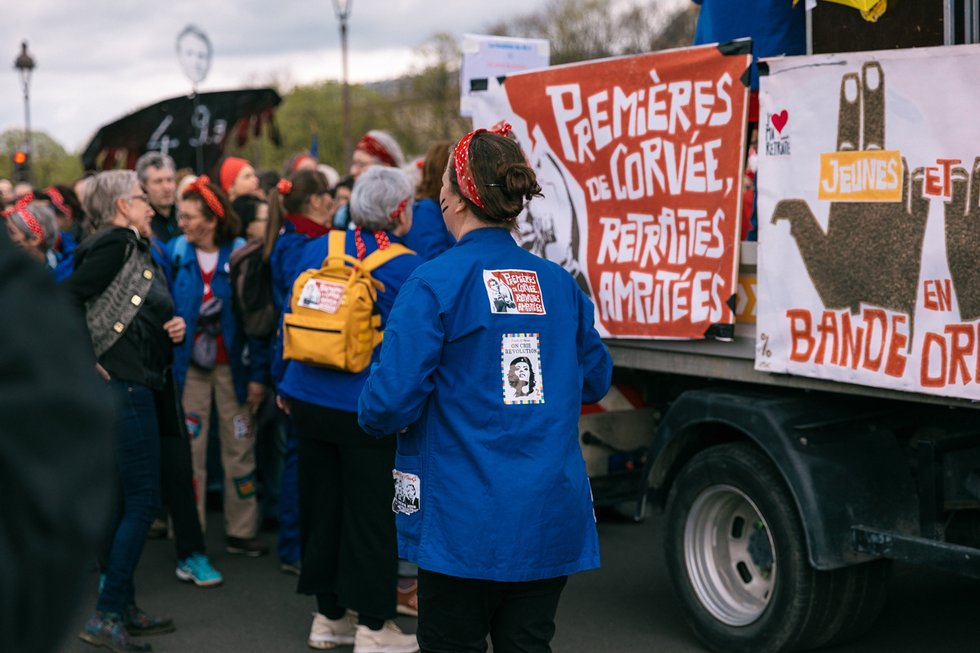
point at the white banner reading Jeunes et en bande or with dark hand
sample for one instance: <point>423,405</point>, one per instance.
<point>869,219</point>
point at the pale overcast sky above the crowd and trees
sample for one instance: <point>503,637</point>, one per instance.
<point>98,60</point>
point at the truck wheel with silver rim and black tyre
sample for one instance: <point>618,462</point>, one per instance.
<point>737,556</point>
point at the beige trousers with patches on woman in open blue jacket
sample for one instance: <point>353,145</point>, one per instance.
<point>237,439</point>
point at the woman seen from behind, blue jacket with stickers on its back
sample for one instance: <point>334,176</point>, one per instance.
<point>491,493</point>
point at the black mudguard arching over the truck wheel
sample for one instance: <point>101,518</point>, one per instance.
<point>838,457</point>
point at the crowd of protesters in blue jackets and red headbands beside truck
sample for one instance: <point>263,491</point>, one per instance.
<point>202,298</point>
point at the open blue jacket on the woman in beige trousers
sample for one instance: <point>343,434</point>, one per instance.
<point>187,288</point>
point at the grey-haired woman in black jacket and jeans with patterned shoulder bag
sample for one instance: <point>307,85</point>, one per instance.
<point>130,319</point>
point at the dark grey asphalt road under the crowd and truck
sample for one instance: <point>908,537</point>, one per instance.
<point>626,606</point>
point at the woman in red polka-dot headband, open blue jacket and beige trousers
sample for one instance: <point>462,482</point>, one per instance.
<point>210,363</point>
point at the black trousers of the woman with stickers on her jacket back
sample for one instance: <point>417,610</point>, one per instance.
<point>457,614</point>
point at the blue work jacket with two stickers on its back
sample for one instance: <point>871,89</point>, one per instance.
<point>503,488</point>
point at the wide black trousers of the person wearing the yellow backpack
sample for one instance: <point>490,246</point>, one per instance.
<point>347,528</point>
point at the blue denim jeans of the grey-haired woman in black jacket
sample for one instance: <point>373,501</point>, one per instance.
<point>138,468</point>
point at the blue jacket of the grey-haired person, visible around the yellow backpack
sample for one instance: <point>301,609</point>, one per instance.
<point>331,388</point>
